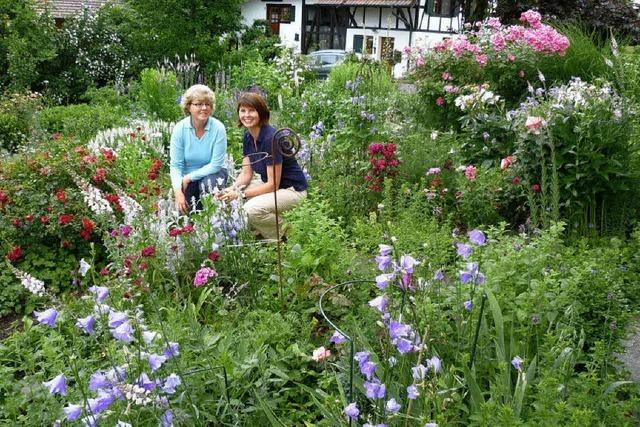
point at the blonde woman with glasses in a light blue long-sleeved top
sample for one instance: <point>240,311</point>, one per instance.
<point>198,149</point>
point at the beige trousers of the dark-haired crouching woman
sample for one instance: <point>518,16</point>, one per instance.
<point>261,210</point>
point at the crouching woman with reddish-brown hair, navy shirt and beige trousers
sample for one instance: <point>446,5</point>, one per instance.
<point>287,176</point>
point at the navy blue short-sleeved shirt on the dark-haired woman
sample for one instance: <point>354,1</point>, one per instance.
<point>292,175</point>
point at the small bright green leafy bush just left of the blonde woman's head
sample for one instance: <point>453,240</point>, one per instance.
<point>159,93</point>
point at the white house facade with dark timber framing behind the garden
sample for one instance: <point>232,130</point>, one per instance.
<point>369,27</point>
